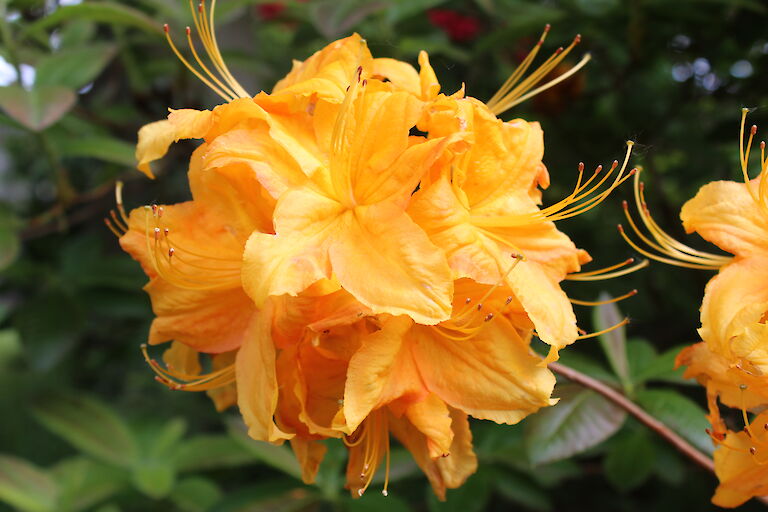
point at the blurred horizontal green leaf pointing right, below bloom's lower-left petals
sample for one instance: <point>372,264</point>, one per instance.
<point>210,452</point>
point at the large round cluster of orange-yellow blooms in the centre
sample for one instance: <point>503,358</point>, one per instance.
<point>333,301</point>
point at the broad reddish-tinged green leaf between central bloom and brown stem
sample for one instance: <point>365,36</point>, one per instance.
<point>581,420</point>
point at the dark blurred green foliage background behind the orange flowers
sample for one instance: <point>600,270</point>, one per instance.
<point>77,80</point>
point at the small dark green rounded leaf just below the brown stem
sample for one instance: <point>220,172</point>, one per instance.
<point>630,460</point>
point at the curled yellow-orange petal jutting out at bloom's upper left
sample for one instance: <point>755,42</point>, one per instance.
<point>155,138</point>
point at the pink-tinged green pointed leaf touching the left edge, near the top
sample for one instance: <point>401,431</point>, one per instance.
<point>39,107</point>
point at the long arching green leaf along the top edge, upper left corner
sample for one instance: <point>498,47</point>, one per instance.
<point>105,12</point>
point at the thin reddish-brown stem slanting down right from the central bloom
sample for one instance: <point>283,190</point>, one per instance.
<point>632,408</point>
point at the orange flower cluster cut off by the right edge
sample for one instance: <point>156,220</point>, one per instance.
<point>732,359</point>
